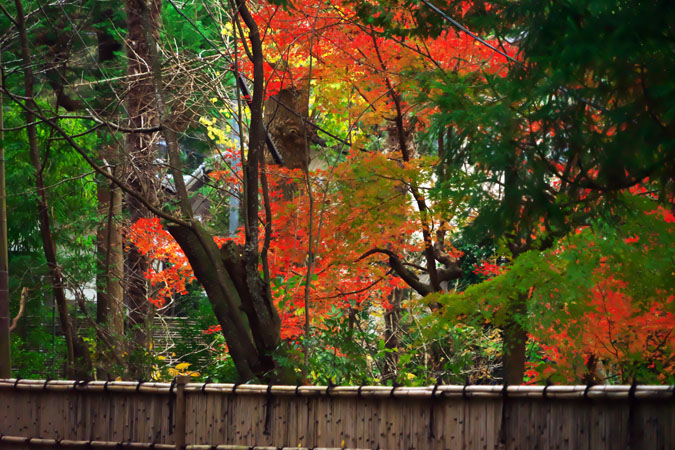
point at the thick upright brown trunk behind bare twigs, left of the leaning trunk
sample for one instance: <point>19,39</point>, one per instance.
<point>140,153</point>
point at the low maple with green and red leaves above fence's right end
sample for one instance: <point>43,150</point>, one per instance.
<point>599,302</point>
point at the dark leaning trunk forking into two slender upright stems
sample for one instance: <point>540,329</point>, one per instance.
<point>238,295</point>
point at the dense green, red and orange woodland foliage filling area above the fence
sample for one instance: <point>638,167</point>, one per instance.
<point>486,204</point>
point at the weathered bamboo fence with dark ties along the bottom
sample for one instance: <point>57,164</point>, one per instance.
<point>97,414</point>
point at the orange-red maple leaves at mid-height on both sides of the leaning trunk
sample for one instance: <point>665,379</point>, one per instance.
<point>350,218</point>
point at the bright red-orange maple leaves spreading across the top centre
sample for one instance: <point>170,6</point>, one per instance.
<point>355,66</point>
